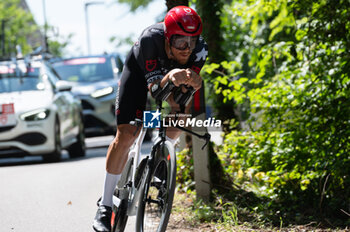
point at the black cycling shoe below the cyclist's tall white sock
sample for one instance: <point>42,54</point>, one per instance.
<point>102,221</point>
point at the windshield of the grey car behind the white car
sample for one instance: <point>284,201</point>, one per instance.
<point>90,69</point>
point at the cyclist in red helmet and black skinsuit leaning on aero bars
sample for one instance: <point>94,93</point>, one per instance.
<point>169,51</point>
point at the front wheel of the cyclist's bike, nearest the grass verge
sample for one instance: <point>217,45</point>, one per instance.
<point>157,195</point>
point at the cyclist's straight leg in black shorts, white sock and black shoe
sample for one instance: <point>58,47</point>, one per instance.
<point>130,103</point>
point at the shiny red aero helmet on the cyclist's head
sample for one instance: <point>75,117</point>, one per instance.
<point>182,20</point>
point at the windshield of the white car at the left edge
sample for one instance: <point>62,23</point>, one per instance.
<point>14,80</point>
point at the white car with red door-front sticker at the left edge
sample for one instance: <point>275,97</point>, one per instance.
<point>38,113</point>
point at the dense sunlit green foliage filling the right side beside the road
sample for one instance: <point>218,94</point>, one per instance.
<point>289,70</point>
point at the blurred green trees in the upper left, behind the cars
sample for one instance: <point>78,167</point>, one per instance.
<point>20,33</point>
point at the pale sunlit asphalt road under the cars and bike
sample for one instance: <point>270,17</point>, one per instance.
<point>50,197</point>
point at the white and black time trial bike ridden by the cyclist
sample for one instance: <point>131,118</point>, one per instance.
<point>147,185</point>
